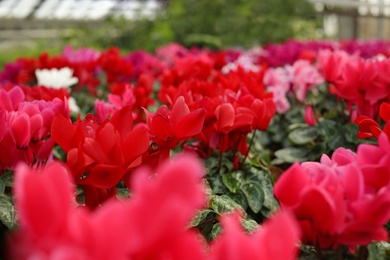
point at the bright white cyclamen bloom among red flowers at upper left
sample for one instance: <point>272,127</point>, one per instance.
<point>56,78</point>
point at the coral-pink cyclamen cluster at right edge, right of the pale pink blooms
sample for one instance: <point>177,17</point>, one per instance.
<point>362,83</point>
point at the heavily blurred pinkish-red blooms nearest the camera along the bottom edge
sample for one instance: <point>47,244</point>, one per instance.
<point>140,228</point>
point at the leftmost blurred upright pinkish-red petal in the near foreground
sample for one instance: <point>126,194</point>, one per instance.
<point>44,199</point>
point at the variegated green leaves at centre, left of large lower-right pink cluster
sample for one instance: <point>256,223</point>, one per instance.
<point>248,190</point>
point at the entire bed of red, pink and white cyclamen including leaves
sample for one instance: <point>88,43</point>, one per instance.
<point>101,182</point>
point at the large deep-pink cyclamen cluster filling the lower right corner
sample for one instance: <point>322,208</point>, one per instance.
<point>343,200</point>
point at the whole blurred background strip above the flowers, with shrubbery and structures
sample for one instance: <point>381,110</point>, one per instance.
<point>29,27</point>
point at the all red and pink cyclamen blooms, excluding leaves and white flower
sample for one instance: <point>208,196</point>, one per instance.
<point>205,102</point>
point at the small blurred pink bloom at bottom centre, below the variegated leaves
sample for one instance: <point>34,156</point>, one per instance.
<point>263,243</point>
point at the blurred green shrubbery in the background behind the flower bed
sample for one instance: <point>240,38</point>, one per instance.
<point>212,24</point>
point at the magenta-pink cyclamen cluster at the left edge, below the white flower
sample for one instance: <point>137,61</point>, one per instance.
<point>25,127</point>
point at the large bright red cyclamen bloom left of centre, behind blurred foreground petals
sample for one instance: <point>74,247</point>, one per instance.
<point>99,155</point>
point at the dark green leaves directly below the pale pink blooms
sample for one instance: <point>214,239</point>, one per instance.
<point>289,139</point>
